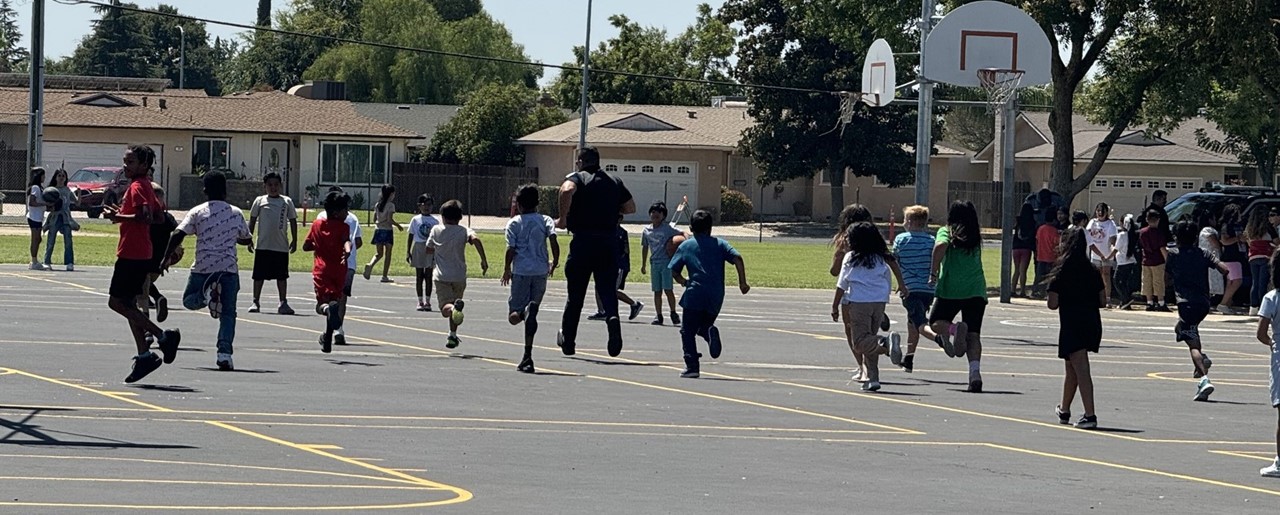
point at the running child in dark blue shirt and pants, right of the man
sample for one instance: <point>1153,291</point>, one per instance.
<point>705,290</point>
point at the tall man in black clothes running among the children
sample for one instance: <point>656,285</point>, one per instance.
<point>591,202</point>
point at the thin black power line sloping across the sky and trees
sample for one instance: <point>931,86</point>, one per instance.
<point>442,53</point>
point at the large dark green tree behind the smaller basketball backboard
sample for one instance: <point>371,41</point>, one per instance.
<point>821,47</point>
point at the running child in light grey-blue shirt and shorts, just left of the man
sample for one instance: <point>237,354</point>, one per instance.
<point>527,268</point>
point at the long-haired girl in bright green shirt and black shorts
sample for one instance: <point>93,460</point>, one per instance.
<point>962,289</point>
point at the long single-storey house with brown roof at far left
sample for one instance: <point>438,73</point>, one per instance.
<point>310,136</point>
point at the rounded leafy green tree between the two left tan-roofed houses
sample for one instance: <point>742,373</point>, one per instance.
<point>487,126</point>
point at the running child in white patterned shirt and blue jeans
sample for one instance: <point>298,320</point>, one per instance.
<point>214,280</point>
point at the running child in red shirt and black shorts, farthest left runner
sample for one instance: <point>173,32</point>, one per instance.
<point>139,208</point>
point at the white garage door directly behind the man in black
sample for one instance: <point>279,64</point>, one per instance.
<point>657,181</point>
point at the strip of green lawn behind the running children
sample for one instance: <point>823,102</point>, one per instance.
<point>769,265</point>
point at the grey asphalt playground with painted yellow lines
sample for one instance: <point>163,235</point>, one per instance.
<point>397,422</point>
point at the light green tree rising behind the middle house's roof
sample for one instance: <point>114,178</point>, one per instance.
<point>701,53</point>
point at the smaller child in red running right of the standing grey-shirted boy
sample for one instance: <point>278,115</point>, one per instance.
<point>331,241</point>
